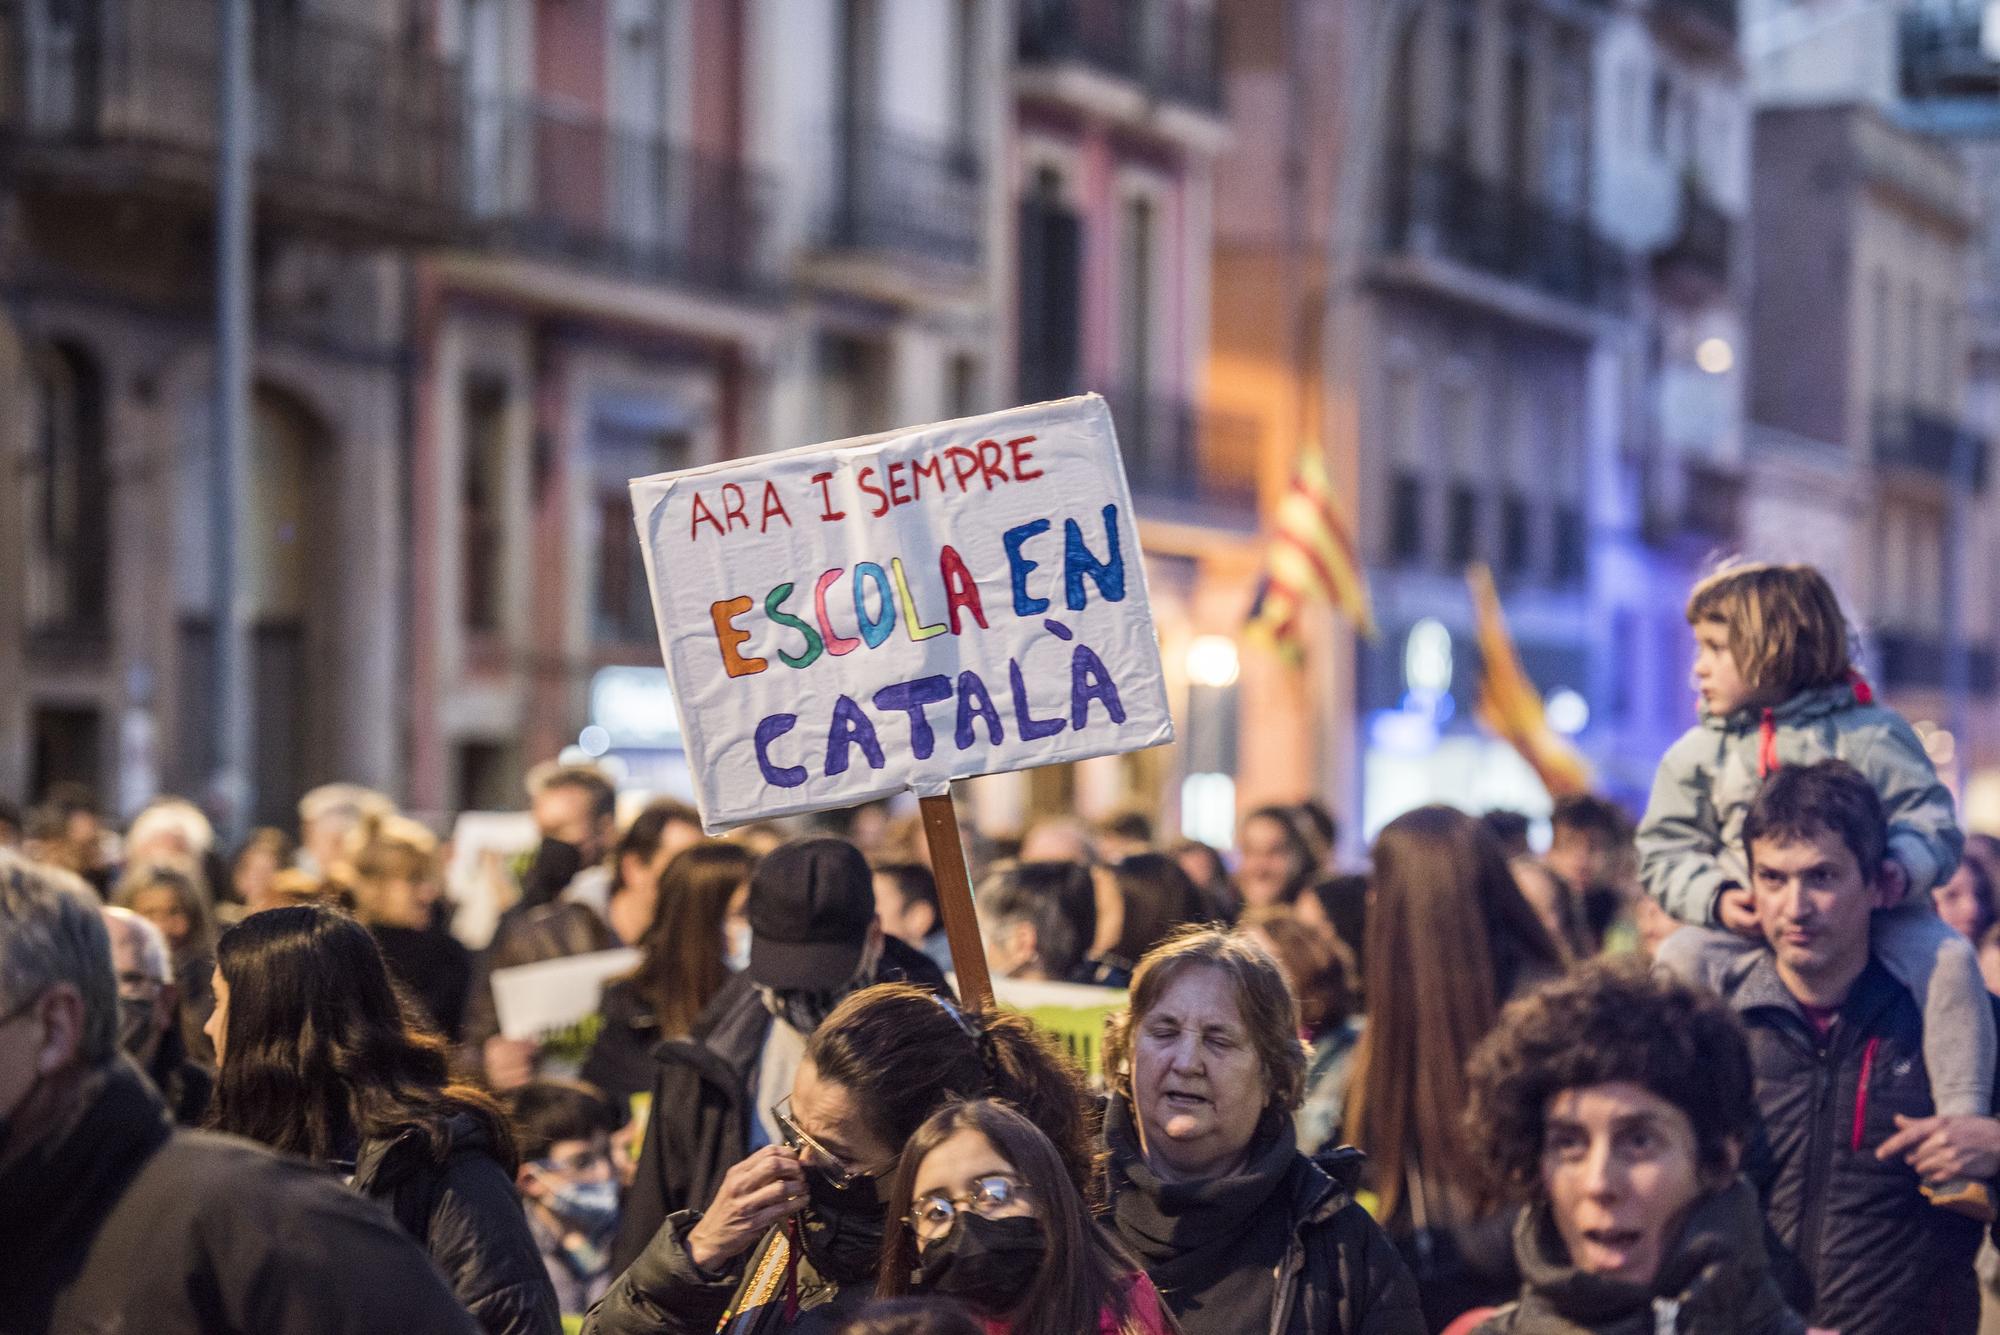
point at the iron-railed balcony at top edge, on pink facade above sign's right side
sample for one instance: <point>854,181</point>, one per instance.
<point>1171,51</point>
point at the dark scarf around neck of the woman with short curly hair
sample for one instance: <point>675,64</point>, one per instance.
<point>1717,1272</point>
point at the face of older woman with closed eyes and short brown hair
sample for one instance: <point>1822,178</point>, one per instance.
<point>1197,1078</point>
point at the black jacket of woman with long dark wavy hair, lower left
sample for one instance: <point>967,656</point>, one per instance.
<point>463,1208</point>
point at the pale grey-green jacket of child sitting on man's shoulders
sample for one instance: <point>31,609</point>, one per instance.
<point>1691,842</point>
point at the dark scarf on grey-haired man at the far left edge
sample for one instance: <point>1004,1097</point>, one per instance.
<point>61,1190</point>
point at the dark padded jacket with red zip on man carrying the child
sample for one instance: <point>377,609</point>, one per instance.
<point>1859,1248</point>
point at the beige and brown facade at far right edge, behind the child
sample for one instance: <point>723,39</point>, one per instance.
<point>1883,439</point>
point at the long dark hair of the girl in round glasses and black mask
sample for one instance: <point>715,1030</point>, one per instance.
<point>1085,1270</point>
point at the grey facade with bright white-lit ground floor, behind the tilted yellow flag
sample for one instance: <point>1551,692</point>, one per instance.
<point>1485,405</point>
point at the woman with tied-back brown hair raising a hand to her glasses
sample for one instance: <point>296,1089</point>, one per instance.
<point>793,1238</point>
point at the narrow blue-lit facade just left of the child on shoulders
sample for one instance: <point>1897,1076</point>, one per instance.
<point>1671,151</point>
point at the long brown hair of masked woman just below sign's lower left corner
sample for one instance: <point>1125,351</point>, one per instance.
<point>683,964</point>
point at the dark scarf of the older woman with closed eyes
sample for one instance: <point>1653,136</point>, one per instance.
<point>1209,1246</point>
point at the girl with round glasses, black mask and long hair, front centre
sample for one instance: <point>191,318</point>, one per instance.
<point>989,1218</point>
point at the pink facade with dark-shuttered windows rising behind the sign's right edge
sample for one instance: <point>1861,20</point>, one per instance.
<point>1117,121</point>
